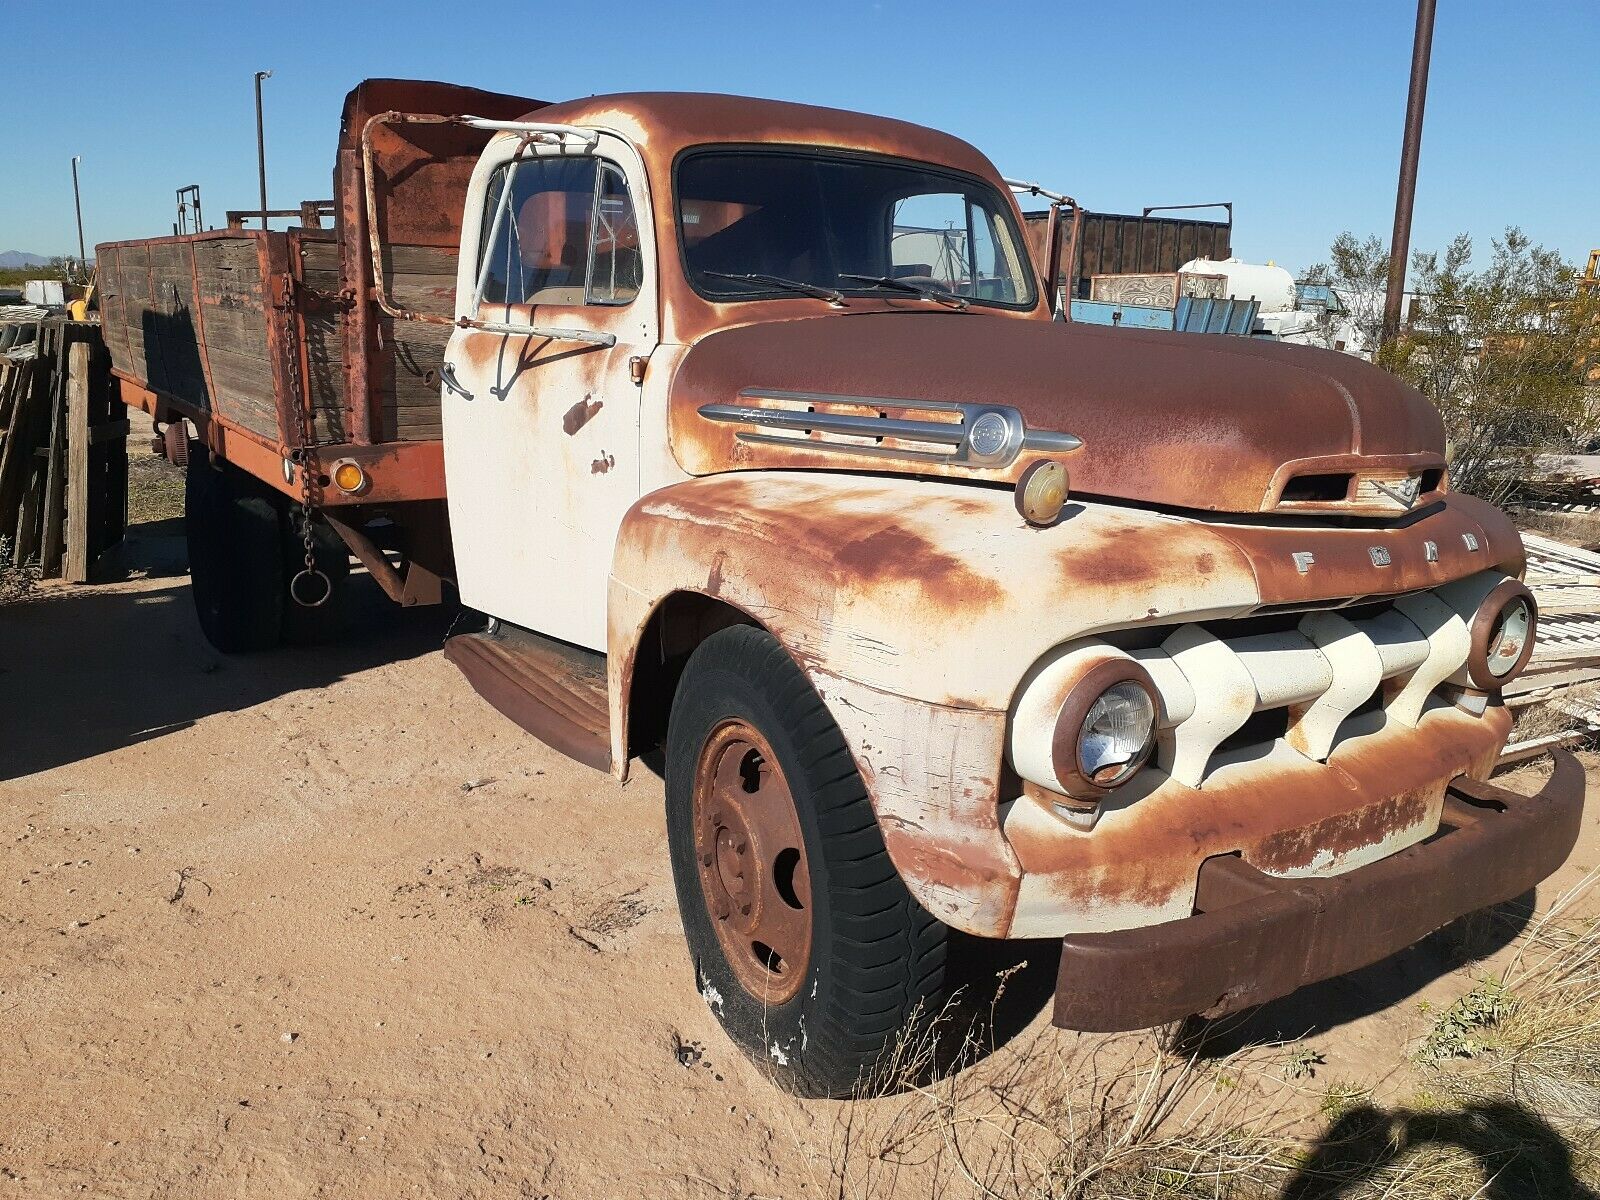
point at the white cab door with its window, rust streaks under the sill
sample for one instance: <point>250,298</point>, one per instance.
<point>540,406</point>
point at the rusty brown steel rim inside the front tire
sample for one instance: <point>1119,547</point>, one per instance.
<point>750,852</point>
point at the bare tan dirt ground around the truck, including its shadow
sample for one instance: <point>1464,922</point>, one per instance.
<point>322,924</point>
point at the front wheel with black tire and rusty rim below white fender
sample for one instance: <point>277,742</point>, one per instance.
<point>806,942</point>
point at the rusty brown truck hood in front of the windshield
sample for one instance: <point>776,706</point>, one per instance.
<point>1196,422</point>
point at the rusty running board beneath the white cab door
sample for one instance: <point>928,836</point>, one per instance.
<point>553,690</point>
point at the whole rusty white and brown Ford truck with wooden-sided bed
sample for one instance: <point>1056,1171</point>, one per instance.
<point>767,465</point>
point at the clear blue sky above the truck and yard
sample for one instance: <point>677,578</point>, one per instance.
<point>1290,110</point>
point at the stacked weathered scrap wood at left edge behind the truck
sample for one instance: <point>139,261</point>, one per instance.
<point>63,449</point>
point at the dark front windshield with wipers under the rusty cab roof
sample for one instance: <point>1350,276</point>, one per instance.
<point>758,225</point>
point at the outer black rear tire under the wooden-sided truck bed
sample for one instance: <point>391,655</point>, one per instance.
<point>236,558</point>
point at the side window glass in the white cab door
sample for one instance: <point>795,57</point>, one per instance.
<point>559,231</point>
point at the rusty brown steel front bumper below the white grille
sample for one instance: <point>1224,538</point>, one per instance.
<point>1255,937</point>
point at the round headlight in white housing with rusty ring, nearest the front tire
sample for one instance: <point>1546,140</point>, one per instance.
<point>1086,721</point>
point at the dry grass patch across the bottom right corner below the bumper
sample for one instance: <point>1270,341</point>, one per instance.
<point>1506,1106</point>
